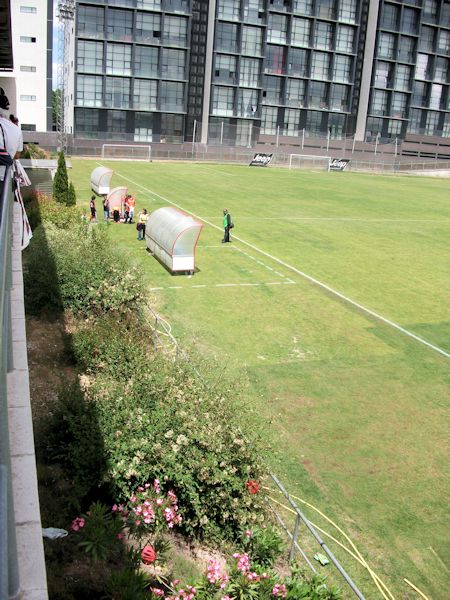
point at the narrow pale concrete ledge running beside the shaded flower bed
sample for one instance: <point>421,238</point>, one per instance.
<point>30,546</point>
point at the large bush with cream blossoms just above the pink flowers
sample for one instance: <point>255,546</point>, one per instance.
<point>166,424</point>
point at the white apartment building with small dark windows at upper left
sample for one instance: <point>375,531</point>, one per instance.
<point>29,85</point>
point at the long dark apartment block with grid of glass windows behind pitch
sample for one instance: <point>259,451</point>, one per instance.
<point>234,71</point>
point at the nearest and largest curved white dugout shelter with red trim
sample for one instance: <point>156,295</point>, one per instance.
<point>172,235</point>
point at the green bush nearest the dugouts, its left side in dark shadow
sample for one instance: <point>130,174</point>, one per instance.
<point>92,277</point>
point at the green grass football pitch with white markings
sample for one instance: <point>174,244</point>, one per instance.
<point>331,308</point>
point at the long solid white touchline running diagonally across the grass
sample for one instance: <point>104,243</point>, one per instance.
<point>306,276</point>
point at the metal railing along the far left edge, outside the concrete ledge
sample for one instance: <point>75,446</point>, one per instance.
<point>9,574</point>
